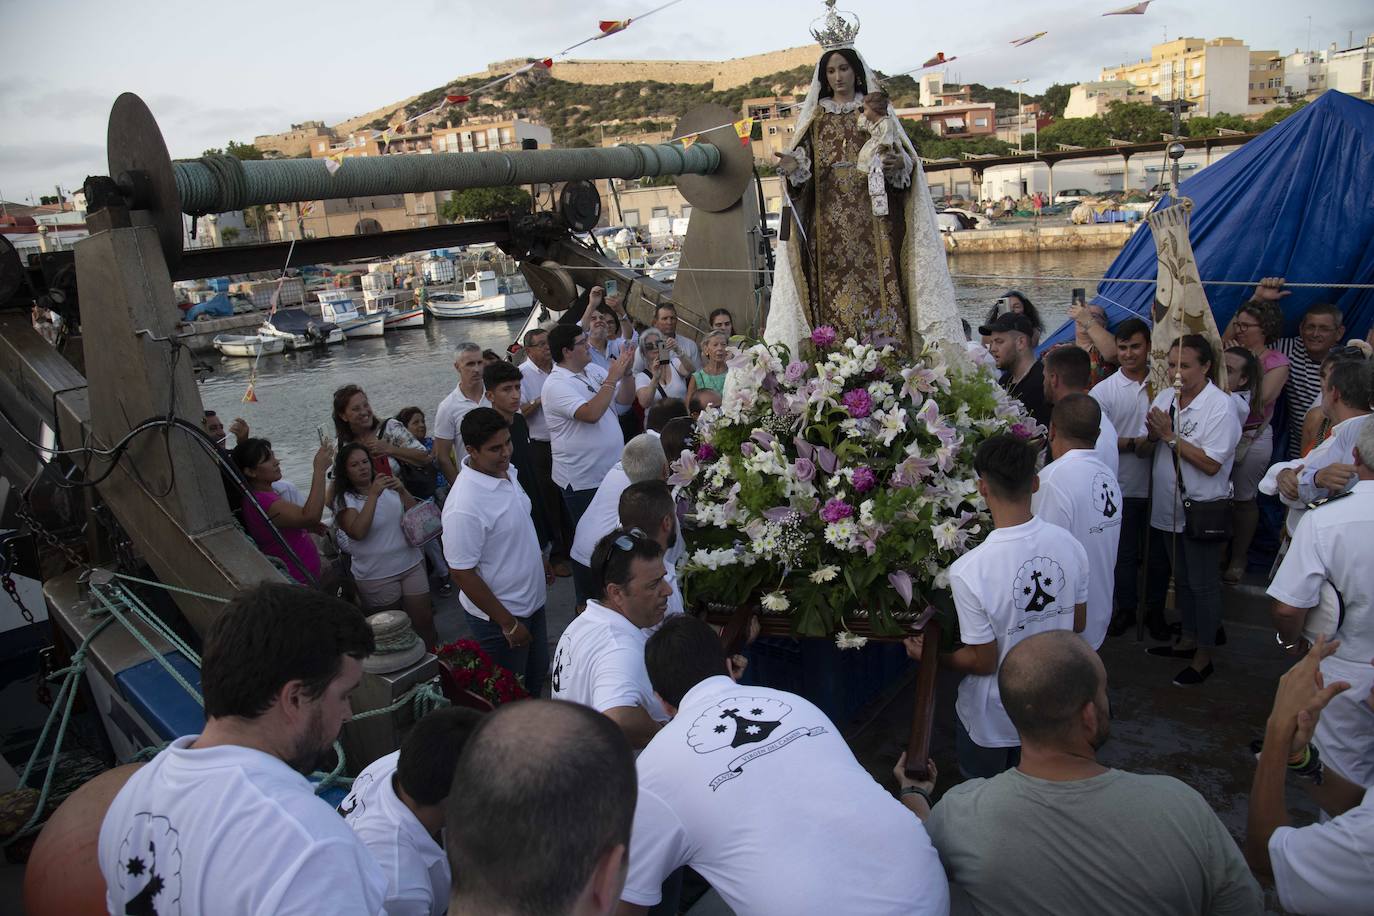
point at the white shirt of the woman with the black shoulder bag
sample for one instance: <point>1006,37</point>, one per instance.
<point>1210,424</point>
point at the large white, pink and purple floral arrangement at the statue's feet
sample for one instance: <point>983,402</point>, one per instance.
<point>840,487</point>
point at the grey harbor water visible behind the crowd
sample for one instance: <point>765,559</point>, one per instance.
<point>416,367</point>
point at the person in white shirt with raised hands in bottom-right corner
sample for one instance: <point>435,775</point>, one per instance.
<point>1321,869</point>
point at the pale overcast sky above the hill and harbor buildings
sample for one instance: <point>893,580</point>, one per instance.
<point>219,72</point>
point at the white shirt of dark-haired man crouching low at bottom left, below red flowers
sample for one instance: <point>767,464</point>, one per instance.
<point>418,880</point>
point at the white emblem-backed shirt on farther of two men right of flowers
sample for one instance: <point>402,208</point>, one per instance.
<point>1081,495</point>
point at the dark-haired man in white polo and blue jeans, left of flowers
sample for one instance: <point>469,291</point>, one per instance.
<point>494,554</point>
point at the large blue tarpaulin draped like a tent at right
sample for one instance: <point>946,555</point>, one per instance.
<point>1296,203</point>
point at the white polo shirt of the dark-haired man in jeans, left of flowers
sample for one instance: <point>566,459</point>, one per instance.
<point>488,528</point>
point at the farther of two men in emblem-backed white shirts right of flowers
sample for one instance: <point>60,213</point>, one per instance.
<point>1081,495</point>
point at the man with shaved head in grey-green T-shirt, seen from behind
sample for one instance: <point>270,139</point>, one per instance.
<point>1061,829</point>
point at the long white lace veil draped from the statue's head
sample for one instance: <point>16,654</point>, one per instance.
<point>925,271</point>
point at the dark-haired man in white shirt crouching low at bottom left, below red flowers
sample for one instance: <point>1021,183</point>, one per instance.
<point>396,807</point>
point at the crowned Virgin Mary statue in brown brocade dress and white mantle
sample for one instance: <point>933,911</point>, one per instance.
<point>844,266</point>
